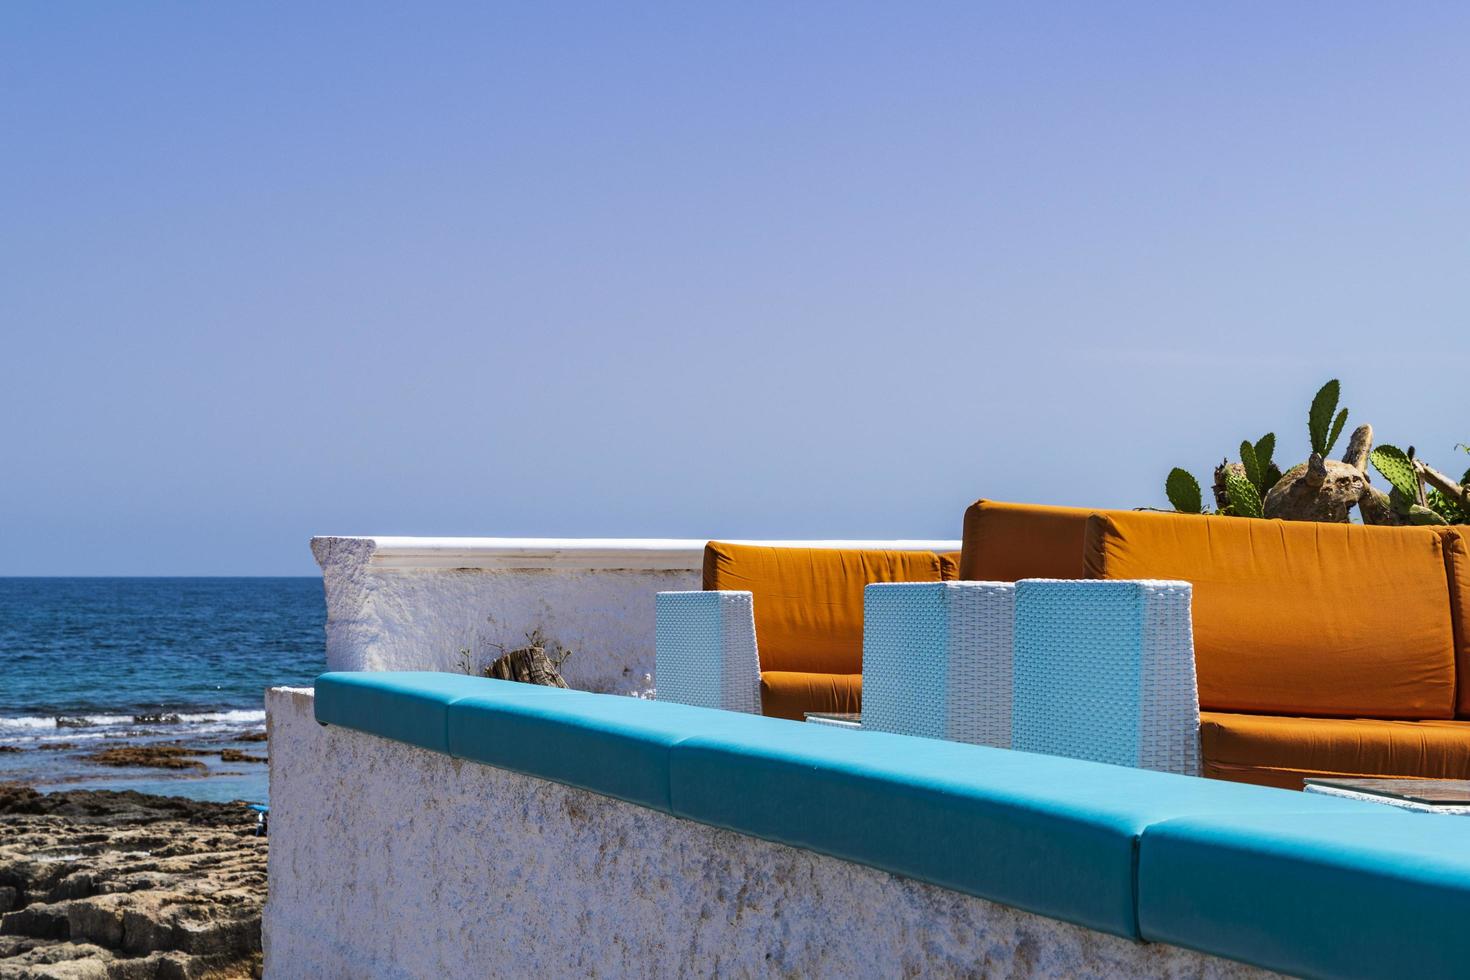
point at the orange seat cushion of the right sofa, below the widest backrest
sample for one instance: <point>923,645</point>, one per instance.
<point>1277,752</point>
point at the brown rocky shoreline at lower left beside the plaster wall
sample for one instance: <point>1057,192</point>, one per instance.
<point>126,887</point>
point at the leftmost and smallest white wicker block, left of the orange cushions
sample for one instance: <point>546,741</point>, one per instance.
<point>705,650</point>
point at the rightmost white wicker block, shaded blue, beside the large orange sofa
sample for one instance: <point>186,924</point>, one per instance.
<point>1105,672</point>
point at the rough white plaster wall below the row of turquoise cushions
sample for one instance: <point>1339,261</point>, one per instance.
<point>393,862</point>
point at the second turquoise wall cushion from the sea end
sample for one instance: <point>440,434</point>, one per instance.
<point>614,746</point>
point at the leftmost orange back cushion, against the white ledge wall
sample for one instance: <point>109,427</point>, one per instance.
<point>809,602</point>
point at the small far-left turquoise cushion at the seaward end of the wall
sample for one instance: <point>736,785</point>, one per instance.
<point>404,706</point>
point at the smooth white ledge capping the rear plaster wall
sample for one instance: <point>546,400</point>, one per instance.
<point>681,555</point>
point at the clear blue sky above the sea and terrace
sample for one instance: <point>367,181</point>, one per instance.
<point>270,271</point>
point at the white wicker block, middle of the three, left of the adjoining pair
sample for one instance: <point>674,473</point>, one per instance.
<point>937,660</point>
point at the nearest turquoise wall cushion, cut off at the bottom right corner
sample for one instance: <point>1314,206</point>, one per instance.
<point>1353,896</point>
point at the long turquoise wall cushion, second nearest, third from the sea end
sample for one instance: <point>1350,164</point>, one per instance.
<point>1043,834</point>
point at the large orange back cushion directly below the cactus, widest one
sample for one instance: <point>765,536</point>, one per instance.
<point>1300,618</point>
